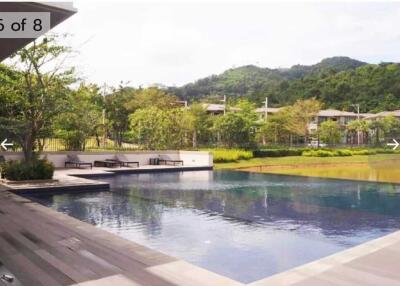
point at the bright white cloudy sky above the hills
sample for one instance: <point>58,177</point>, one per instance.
<point>174,43</point>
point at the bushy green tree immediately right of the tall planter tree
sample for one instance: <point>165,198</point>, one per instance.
<point>81,104</point>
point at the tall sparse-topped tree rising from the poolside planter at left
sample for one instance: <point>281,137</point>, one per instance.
<point>34,91</point>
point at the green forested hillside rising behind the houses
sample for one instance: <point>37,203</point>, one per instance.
<point>338,82</point>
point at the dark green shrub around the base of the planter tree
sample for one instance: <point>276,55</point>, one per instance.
<point>21,170</point>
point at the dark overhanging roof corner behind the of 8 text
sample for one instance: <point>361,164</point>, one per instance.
<point>58,13</point>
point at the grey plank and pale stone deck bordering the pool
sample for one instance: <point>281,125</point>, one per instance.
<point>43,247</point>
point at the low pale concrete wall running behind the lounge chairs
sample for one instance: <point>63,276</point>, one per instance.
<point>190,158</point>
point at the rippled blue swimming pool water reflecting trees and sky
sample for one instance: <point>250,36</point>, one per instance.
<point>246,226</point>
